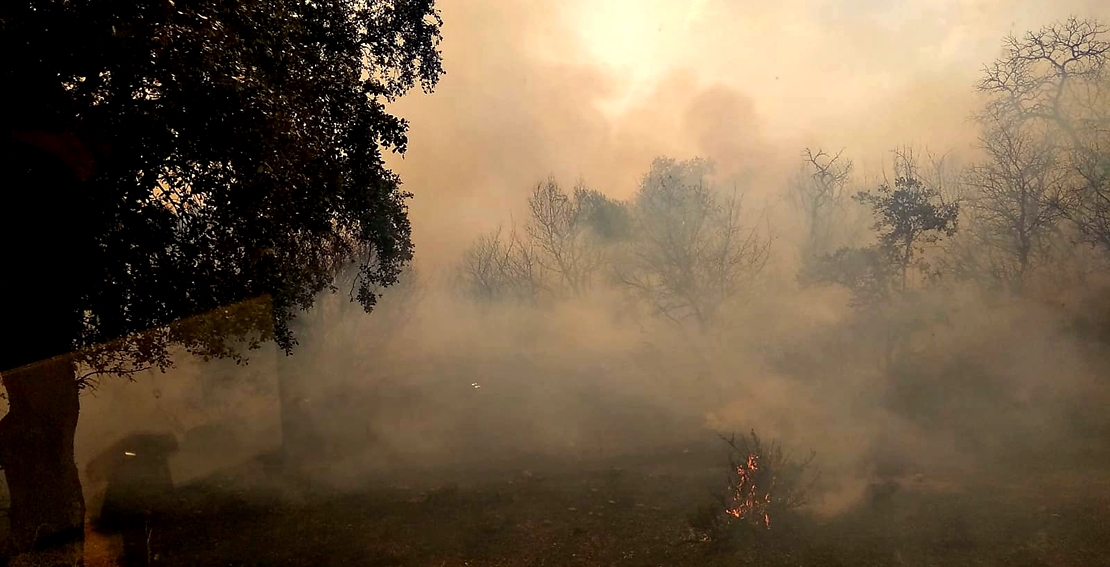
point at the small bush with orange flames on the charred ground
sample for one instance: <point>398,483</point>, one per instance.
<point>764,485</point>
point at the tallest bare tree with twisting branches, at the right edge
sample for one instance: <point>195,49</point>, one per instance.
<point>1056,79</point>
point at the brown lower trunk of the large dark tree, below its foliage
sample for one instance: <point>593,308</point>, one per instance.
<point>37,455</point>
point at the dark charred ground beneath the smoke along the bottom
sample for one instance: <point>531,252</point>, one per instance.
<point>627,512</point>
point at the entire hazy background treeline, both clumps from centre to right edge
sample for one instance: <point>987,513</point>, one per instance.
<point>1028,218</point>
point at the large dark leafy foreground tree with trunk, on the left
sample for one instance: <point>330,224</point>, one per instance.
<point>187,158</point>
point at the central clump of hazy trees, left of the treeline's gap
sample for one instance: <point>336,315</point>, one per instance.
<point>681,246</point>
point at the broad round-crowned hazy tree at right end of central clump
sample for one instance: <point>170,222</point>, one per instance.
<point>691,252</point>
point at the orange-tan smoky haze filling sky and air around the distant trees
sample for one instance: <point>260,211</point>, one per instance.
<point>596,93</point>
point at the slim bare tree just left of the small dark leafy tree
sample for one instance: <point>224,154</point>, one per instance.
<point>819,193</point>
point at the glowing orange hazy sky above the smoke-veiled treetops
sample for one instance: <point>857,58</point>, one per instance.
<point>597,89</point>
